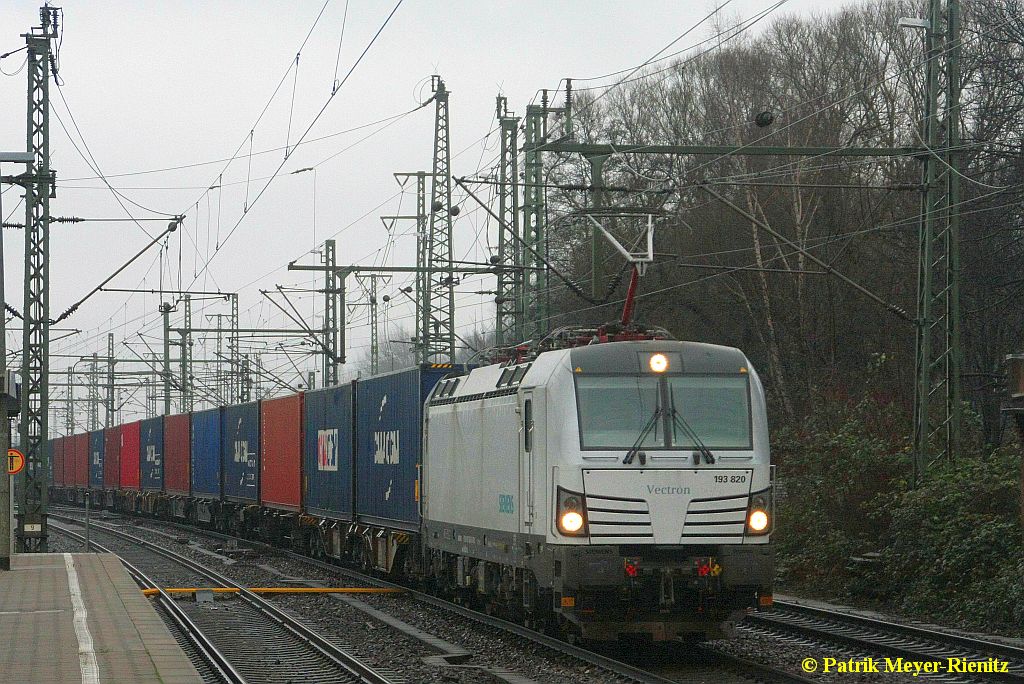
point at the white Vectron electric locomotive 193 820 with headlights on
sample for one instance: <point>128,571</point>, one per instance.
<point>605,492</point>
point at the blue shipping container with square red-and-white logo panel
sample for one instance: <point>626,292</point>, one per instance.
<point>327,453</point>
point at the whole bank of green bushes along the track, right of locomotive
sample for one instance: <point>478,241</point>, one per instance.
<point>950,550</point>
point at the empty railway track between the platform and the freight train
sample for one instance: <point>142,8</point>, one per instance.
<point>254,642</point>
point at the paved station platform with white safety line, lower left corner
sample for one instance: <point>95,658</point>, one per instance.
<point>80,618</point>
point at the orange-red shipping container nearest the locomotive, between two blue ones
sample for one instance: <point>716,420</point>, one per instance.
<point>281,463</point>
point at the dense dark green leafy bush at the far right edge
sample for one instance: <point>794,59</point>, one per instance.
<point>953,548</point>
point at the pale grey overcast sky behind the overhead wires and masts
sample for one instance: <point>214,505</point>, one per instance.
<point>154,85</point>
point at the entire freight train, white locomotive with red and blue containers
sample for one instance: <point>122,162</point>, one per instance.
<point>604,492</point>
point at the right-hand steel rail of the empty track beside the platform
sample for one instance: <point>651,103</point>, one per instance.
<point>339,657</point>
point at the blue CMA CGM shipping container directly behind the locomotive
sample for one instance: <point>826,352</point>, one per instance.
<point>390,412</point>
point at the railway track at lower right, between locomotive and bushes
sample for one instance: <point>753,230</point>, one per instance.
<point>864,636</point>
